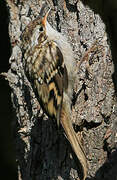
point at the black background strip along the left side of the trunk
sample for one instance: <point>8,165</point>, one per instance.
<point>7,149</point>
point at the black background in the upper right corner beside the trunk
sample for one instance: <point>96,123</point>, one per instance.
<point>108,12</point>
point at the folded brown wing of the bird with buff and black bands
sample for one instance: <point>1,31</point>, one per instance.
<point>54,80</point>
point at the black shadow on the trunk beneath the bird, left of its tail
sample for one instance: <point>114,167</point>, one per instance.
<point>52,147</point>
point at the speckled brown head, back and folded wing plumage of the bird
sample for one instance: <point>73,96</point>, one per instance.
<point>45,66</point>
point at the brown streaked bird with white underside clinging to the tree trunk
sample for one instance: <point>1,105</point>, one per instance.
<point>50,67</point>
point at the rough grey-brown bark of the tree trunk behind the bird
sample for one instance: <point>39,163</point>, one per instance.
<point>43,152</point>
